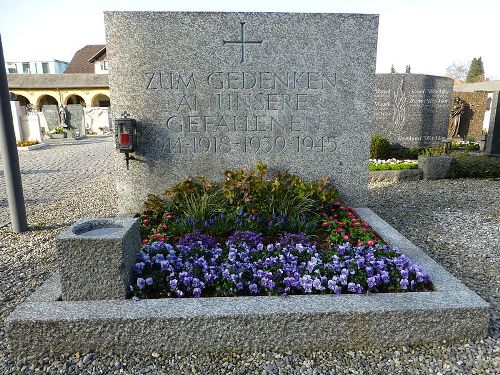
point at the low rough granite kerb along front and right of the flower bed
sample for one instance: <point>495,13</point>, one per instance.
<point>44,322</point>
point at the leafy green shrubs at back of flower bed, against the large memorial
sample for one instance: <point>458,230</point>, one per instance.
<point>245,200</point>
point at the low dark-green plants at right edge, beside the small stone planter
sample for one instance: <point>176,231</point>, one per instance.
<point>465,165</point>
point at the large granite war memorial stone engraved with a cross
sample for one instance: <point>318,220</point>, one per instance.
<point>212,91</point>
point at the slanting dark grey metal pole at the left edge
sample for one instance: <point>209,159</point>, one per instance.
<point>10,158</point>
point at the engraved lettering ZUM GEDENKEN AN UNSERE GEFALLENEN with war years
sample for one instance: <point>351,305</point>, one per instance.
<point>261,112</point>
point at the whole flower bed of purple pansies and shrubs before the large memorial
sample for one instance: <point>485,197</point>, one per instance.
<point>253,235</point>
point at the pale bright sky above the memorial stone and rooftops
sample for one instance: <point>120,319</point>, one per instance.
<point>429,35</point>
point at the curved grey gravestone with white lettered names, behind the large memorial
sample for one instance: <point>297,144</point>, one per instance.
<point>412,110</point>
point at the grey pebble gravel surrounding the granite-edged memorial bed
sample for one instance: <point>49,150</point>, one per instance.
<point>457,222</point>
